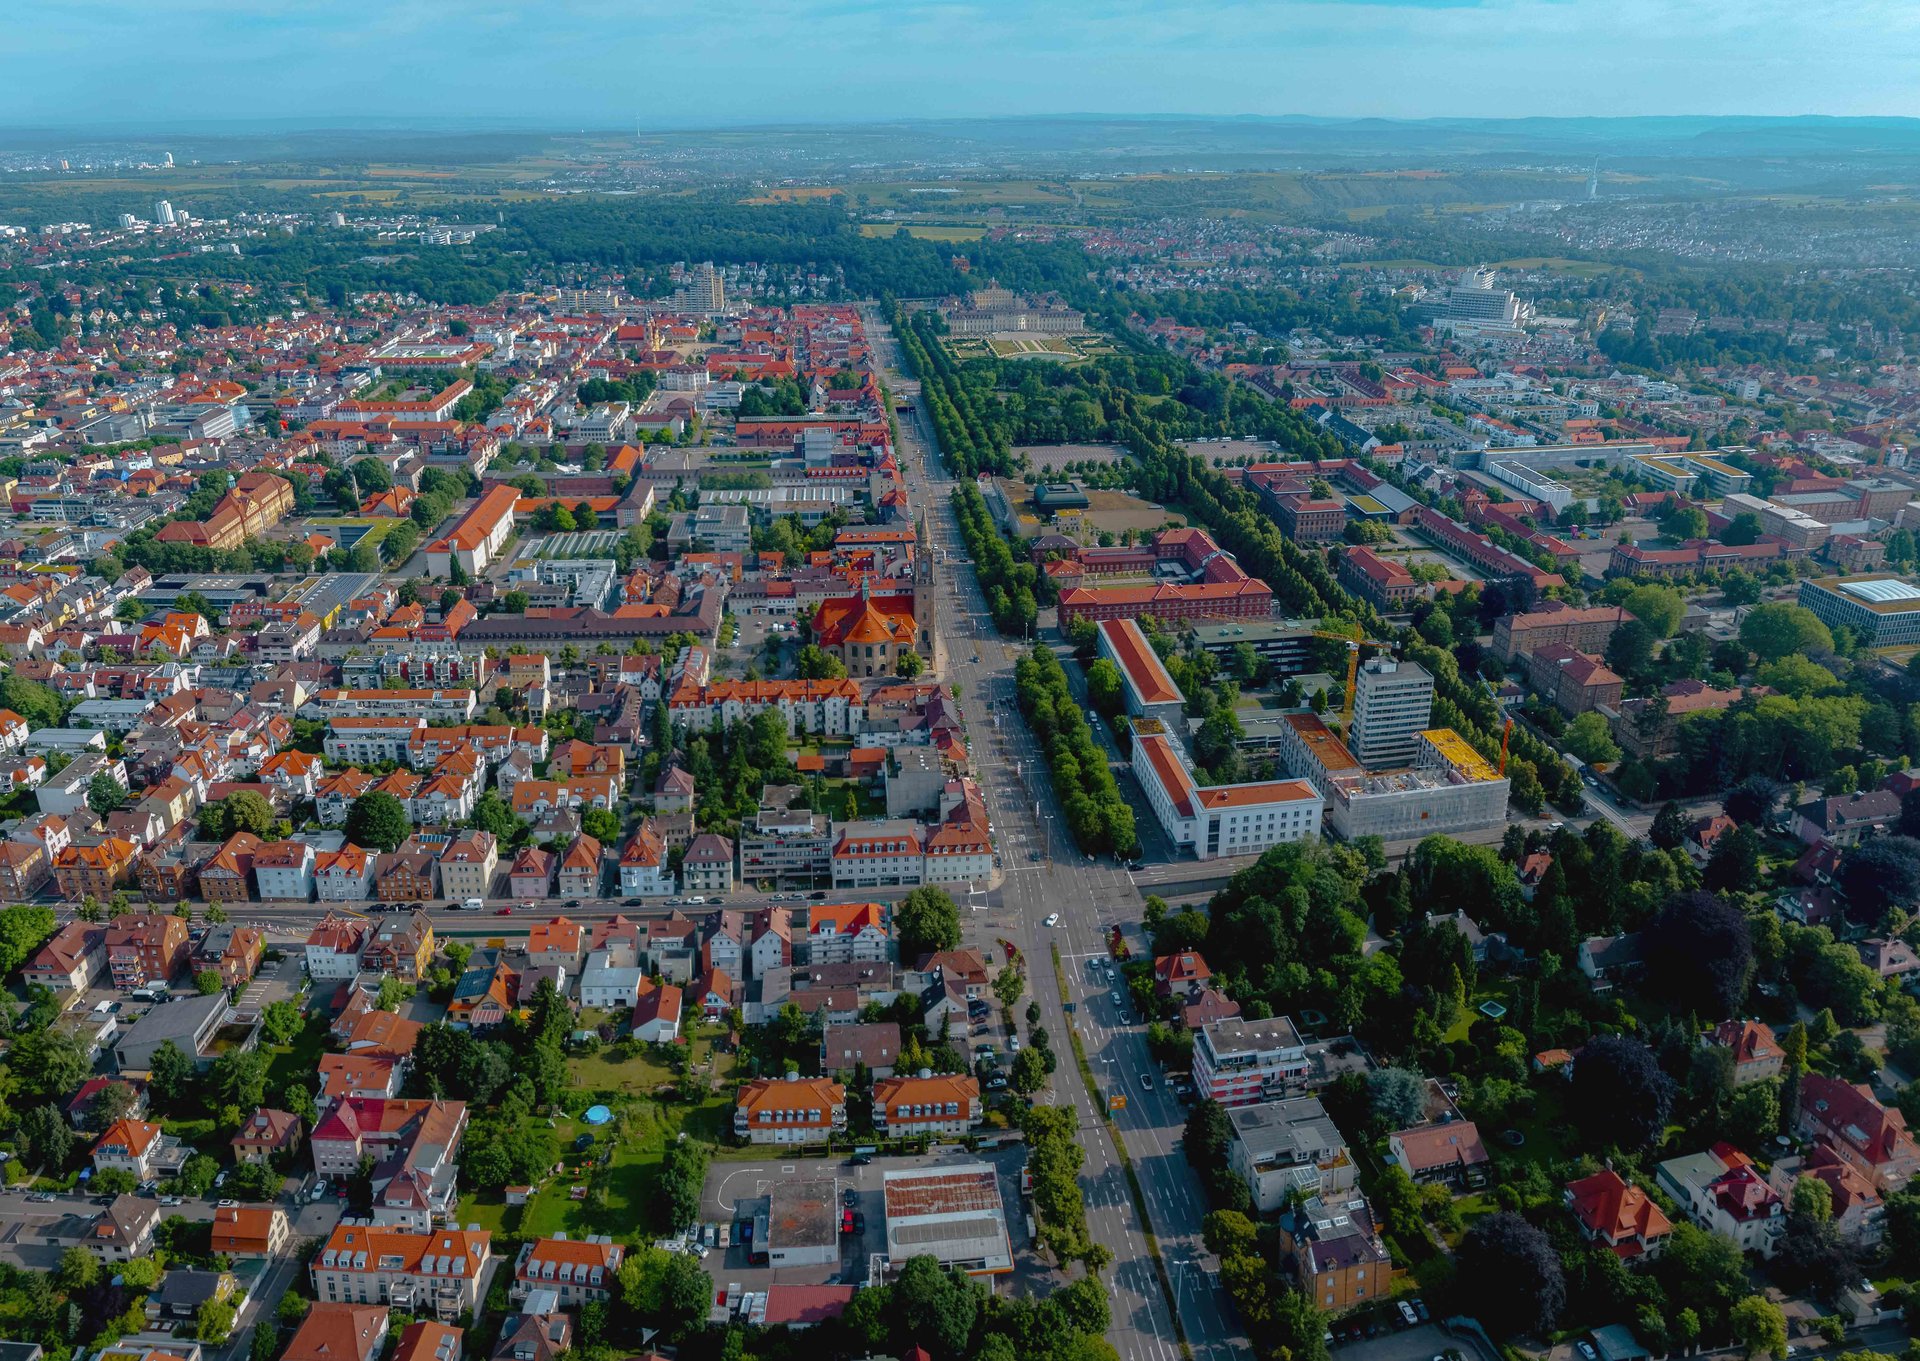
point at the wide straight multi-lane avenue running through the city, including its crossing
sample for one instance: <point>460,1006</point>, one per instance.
<point>1049,880</point>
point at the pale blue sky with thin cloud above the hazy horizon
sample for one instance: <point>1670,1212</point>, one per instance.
<point>709,62</point>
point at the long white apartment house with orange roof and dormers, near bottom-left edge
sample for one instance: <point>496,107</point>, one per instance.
<point>437,1272</point>
